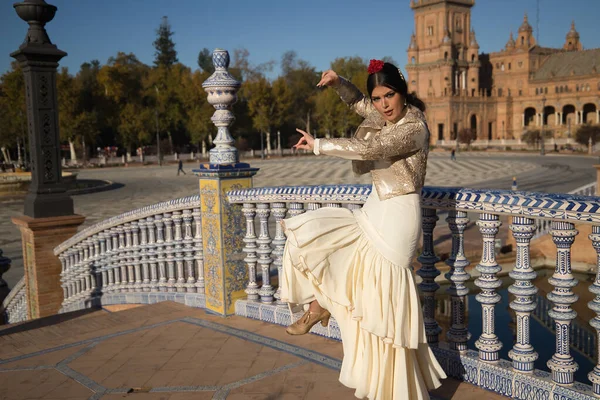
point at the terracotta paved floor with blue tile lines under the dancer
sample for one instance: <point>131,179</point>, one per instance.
<point>170,351</point>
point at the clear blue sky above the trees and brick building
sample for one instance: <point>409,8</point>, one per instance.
<point>317,30</point>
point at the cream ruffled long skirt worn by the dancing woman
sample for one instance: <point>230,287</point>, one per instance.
<point>356,264</point>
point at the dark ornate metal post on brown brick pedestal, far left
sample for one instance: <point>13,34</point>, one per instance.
<point>49,218</point>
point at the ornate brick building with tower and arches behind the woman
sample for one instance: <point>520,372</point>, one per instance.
<point>501,94</point>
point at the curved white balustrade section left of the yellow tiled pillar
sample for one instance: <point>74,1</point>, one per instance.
<point>143,256</point>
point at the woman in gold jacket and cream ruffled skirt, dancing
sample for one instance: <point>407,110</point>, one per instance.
<point>356,265</point>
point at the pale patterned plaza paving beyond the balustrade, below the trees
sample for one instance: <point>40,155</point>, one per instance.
<point>152,184</point>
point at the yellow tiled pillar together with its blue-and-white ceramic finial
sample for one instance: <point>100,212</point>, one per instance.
<point>224,270</point>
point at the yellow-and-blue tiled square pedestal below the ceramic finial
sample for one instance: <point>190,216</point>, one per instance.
<point>223,224</point>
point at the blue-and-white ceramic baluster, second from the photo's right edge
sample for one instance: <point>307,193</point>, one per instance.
<point>562,364</point>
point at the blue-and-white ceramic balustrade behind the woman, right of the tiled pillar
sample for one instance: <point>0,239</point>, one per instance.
<point>516,378</point>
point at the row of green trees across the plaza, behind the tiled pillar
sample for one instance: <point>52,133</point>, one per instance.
<point>119,103</point>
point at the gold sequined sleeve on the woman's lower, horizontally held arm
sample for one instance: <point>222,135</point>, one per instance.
<point>396,141</point>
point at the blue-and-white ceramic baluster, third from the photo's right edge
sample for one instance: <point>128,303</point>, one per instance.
<point>523,354</point>
